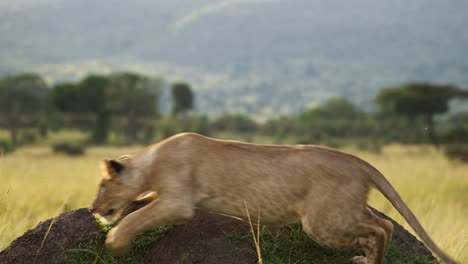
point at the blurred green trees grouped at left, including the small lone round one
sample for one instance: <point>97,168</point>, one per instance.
<point>126,103</point>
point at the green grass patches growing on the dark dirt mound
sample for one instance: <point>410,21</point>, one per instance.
<point>288,245</point>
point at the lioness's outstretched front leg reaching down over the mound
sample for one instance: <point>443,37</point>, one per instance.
<point>157,213</point>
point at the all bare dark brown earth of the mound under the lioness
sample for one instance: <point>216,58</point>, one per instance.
<point>202,240</point>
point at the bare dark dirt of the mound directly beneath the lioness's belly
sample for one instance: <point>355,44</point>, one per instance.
<point>203,240</point>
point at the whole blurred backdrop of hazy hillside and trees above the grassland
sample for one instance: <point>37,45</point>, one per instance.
<point>311,72</point>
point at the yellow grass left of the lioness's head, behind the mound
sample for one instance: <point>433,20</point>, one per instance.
<point>37,184</point>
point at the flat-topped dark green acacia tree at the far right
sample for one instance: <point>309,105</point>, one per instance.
<point>419,99</point>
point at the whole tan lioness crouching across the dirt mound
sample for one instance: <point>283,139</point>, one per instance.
<point>325,189</point>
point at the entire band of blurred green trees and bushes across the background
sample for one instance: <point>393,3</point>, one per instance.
<point>127,104</point>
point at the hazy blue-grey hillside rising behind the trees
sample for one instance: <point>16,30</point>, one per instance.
<point>262,57</point>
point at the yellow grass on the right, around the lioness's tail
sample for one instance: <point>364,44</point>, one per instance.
<point>435,189</point>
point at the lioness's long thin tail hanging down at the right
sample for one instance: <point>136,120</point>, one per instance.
<point>384,186</point>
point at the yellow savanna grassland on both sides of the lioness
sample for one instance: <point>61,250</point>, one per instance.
<point>36,184</point>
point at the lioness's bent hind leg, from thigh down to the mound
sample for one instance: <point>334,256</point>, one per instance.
<point>345,222</point>
